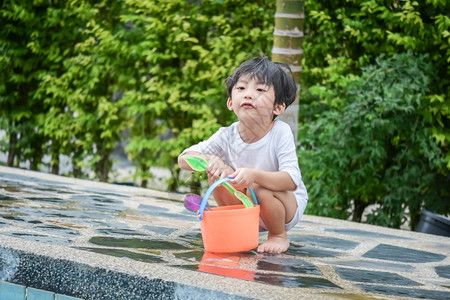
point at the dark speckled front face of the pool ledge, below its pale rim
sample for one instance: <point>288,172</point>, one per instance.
<point>83,281</point>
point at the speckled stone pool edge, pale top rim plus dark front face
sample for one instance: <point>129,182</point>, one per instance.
<point>80,273</point>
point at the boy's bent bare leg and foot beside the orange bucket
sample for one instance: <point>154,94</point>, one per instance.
<point>277,209</point>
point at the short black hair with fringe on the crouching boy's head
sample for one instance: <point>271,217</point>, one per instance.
<point>274,74</point>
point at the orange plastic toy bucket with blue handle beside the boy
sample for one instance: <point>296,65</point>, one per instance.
<point>226,229</point>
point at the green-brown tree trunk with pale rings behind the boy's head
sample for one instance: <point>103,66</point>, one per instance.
<point>287,48</point>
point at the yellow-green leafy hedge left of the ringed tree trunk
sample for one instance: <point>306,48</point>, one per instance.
<point>76,74</point>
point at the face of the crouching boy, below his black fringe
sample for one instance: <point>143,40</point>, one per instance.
<point>253,101</point>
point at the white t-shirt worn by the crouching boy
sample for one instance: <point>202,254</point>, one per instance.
<point>274,152</point>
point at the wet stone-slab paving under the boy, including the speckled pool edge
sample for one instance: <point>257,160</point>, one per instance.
<point>95,240</point>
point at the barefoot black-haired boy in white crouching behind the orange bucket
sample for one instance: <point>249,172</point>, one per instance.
<point>258,151</point>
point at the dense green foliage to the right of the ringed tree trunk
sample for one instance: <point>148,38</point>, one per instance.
<point>342,39</point>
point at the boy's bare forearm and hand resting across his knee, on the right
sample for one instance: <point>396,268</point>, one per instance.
<point>274,181</point>
